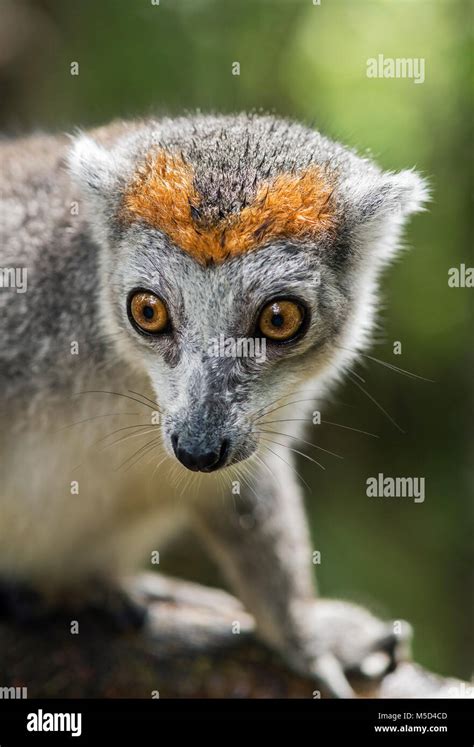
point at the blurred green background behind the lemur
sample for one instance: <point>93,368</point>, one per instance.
<point>309,62</point>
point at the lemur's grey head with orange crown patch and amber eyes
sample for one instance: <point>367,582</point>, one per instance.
<point>240,257</point>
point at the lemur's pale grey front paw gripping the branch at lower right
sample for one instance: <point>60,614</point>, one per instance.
<point>343,641</point>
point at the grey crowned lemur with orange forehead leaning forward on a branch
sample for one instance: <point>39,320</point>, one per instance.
<point>144,243</point>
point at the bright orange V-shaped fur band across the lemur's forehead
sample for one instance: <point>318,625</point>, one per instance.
<point>164,193</point>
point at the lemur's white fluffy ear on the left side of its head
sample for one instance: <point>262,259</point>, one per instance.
<point>98,171</point>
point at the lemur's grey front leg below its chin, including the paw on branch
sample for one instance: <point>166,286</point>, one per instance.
<point>262,545</point>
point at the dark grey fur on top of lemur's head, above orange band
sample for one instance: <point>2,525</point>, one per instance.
<point>233,155</point>
